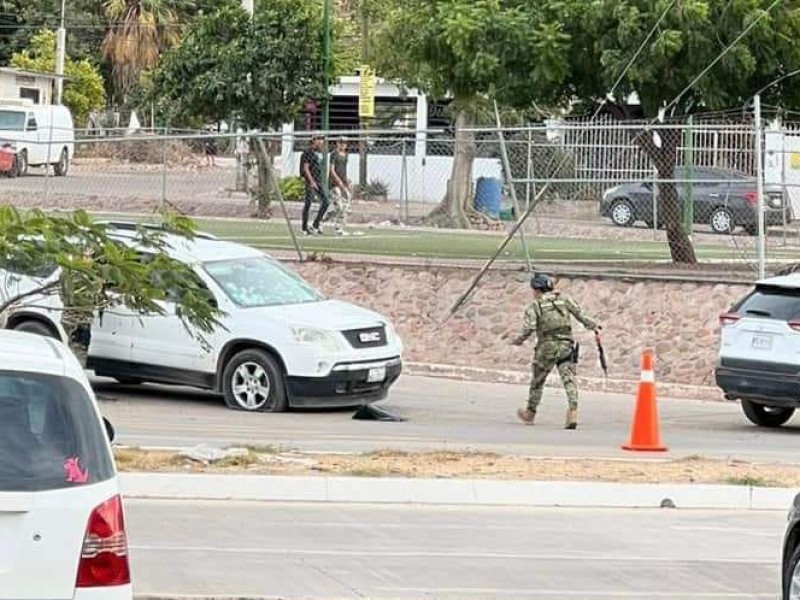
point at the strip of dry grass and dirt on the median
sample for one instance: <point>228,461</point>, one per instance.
<point>456,465</point>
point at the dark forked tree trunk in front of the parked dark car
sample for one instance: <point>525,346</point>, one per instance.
<point>670,209</point>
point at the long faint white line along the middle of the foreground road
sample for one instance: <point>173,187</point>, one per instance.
<point>447,555</point>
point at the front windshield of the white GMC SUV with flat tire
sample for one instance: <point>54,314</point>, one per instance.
<point>260,281</point>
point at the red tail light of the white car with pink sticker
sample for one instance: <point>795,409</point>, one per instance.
<point>104,557</point>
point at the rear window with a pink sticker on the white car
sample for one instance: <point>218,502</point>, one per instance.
<point>50,437</point>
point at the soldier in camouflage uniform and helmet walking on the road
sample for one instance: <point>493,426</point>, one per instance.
<point>549,317</point>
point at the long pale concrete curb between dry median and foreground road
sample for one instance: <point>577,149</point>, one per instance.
<point>464,492</point>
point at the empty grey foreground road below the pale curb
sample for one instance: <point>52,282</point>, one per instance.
<point>346,552</point>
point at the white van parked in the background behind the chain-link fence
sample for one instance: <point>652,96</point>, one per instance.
<point>40,135</point>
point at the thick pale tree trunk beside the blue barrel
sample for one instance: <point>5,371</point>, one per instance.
<point>454,209</point>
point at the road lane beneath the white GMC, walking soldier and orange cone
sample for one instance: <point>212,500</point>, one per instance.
<point>444,415</point>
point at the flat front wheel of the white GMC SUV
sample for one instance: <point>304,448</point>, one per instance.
<point>252,381</point>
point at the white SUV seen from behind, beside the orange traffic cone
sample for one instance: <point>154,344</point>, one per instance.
<point>759,354</point>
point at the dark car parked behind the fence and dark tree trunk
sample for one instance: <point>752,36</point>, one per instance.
<point>722,198</point>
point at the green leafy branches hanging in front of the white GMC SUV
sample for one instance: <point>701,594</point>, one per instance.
<point>79,261</point>
